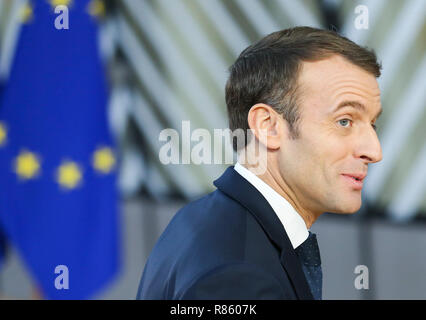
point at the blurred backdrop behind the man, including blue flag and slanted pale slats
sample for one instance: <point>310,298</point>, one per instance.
<point>86,89</point>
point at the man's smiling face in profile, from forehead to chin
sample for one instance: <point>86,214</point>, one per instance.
<point>339,105</point>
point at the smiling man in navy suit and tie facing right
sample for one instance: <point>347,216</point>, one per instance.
<point>311,99</point>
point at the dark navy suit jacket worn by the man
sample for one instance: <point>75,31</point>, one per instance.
<point>229,244</point>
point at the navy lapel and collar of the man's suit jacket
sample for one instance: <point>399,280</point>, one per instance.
<point>242,191</point>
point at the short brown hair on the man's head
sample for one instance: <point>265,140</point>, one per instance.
<point>267,71</point>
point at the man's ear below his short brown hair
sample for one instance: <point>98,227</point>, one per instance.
<point>267,125</point>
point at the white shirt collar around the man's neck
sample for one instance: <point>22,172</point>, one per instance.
<point>293,223</point>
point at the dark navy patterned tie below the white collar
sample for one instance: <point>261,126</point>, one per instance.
<point>310,258</point>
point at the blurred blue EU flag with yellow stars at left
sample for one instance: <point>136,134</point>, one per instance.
<point>58,197</point>
